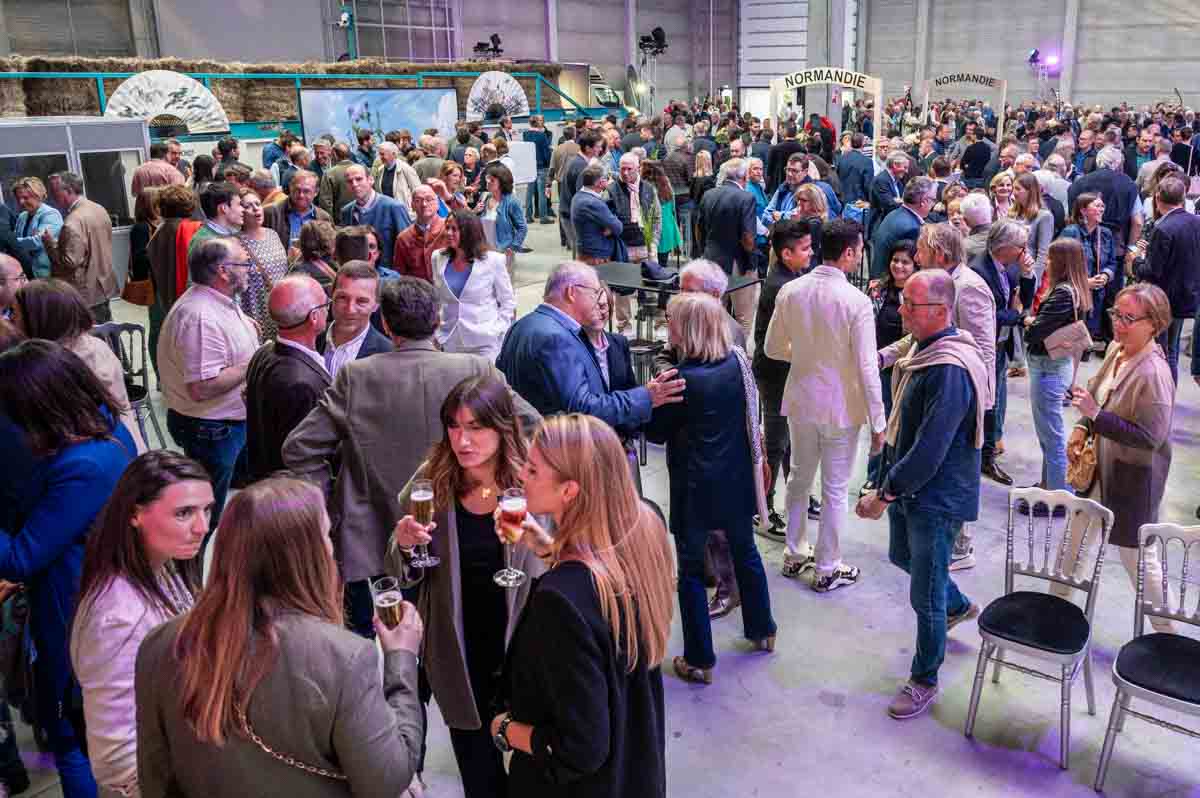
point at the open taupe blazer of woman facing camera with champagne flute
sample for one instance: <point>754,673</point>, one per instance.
<point>445,649</point>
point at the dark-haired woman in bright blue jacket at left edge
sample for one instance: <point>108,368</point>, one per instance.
<point>69,454</point>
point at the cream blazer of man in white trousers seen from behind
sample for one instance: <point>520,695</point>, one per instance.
<point>826,329</point>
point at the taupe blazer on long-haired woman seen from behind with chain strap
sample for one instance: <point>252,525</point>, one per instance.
<point>322,703</point>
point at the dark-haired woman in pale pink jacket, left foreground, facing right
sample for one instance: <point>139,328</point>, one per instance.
<point>155,520</point>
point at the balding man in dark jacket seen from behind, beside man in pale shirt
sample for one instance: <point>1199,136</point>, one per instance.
<point>286,379</point>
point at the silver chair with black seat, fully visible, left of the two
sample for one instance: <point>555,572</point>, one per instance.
<point>1042,626</point>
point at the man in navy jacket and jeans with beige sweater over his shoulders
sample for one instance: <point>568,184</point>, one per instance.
<point>933,485</point>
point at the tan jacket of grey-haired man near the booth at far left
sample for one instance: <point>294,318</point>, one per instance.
<point>83,255</point>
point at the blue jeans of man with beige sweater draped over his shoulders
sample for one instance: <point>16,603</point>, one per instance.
<point>920,544</point>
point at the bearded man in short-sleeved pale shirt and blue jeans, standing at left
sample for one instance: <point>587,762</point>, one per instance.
<point>205,349</point>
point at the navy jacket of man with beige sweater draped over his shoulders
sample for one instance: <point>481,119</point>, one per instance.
<point>934,466</point>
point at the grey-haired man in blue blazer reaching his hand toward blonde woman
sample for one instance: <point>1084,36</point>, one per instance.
<point>549,359</point>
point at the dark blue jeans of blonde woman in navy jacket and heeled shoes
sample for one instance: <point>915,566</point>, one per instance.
<point>752,579</point>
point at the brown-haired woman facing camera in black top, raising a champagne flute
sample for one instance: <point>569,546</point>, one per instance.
<point>479,458</point>
